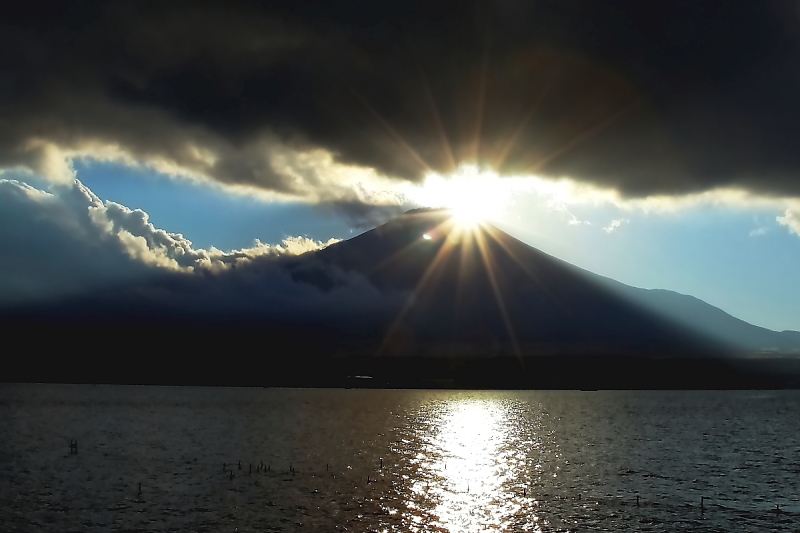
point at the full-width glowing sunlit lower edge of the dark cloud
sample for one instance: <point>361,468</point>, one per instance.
<point>316,177</point>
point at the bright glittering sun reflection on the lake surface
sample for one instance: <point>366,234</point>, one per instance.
<point>471,474</point>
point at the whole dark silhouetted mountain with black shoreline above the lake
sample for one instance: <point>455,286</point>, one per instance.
<point>418,301</point>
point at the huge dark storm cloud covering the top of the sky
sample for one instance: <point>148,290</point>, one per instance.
<point>649,98</point>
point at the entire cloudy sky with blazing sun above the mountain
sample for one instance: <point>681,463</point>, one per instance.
<point>654,144</point>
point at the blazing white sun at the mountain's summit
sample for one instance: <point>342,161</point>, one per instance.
<point>473,195</point>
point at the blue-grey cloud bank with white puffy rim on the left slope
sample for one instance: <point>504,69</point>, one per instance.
<point>66,240</point>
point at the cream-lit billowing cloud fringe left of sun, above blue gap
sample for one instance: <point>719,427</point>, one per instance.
<point>265,166</point>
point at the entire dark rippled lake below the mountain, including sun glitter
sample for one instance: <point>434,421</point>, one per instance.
<point>396,460</point>
